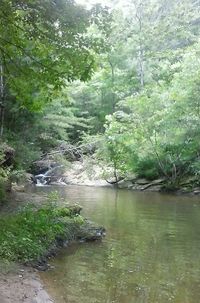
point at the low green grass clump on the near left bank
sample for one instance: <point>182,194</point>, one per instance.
<point>29,234</point>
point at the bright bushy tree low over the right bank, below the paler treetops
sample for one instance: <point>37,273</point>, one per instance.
<point>162,125</point>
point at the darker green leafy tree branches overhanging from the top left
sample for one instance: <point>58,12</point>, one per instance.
<point>43,44</point>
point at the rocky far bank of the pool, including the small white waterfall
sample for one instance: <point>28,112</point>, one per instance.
<point>86,172</point>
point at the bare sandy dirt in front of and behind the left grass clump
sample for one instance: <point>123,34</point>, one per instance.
<point>20,284</point>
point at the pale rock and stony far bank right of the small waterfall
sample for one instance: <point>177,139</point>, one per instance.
<point>89,173</point>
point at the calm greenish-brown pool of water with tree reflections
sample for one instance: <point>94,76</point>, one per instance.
<point>151,253</point>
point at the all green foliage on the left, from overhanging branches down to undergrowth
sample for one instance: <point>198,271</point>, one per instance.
<point>44,45</point>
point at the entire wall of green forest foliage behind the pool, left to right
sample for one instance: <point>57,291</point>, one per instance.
<point>130,77</point>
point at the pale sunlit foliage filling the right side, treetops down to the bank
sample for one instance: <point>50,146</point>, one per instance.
<point>152,124</point>
